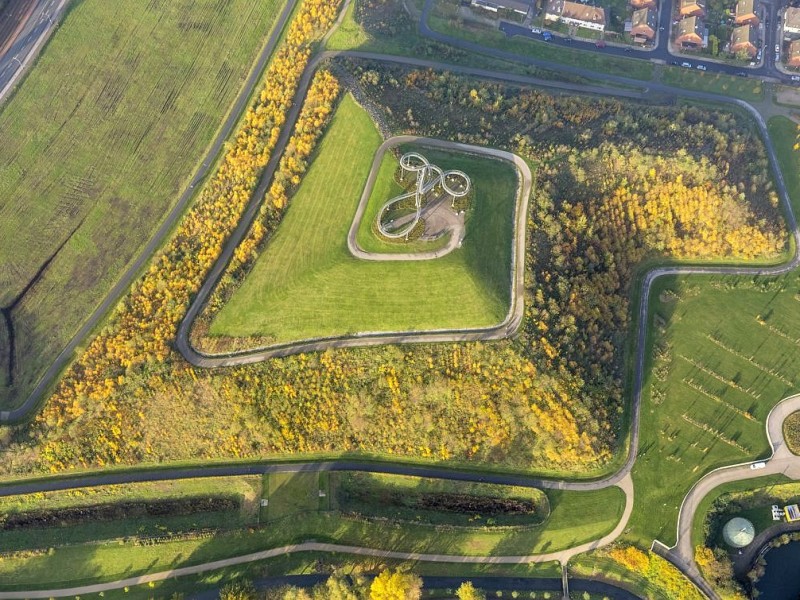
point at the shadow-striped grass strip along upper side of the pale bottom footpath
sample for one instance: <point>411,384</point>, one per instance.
<point>576,517</point>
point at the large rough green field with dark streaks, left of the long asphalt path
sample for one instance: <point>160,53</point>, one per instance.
<point>86,181</point>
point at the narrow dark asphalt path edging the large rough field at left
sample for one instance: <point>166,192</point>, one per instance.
<point>26,409</point>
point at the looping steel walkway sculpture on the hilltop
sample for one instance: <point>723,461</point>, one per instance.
<point>454,183</point>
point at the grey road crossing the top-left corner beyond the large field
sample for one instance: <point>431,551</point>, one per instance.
<point>23,47</point>
